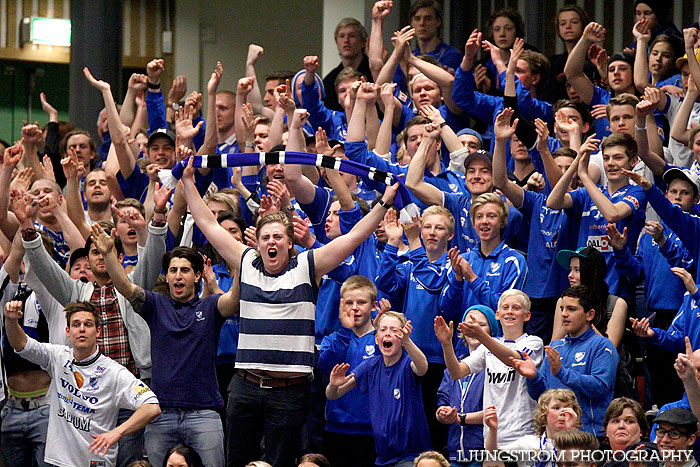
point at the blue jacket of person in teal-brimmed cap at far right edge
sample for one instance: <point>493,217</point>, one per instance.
<point>652,264</point>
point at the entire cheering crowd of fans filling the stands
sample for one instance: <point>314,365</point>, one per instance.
<point>425,256</point>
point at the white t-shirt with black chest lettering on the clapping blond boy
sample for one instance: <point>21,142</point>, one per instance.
<point>506,389</point>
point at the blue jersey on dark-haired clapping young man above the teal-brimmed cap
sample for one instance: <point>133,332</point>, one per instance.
<point>592,230</point>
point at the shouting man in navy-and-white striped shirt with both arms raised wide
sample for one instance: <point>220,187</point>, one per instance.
<point>269,394</point>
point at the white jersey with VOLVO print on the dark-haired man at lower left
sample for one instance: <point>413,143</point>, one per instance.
<point>84,406</point>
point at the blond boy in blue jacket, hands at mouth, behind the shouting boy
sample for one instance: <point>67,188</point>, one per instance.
<point>348,437</point>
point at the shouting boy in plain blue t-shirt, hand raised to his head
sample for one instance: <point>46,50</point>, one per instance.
<point>393,383</point>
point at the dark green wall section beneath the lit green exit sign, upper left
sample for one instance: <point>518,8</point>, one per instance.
<point>50,78</point>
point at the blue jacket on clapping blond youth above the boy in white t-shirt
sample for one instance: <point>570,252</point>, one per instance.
<point>503,269</point>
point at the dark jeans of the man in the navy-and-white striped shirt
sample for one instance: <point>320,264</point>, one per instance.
<point>277,414</point>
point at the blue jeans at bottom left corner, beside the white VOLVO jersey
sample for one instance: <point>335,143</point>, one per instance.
<point>24,435</point>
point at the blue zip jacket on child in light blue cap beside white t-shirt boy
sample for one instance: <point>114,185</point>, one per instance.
<point>467,394</point>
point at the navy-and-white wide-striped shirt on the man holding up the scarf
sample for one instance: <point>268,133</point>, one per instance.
<point>277,315</point>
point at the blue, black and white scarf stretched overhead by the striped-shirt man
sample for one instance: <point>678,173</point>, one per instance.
<point>402,201</point>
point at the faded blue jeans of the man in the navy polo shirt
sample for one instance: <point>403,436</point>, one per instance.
<point>199,429</point>
